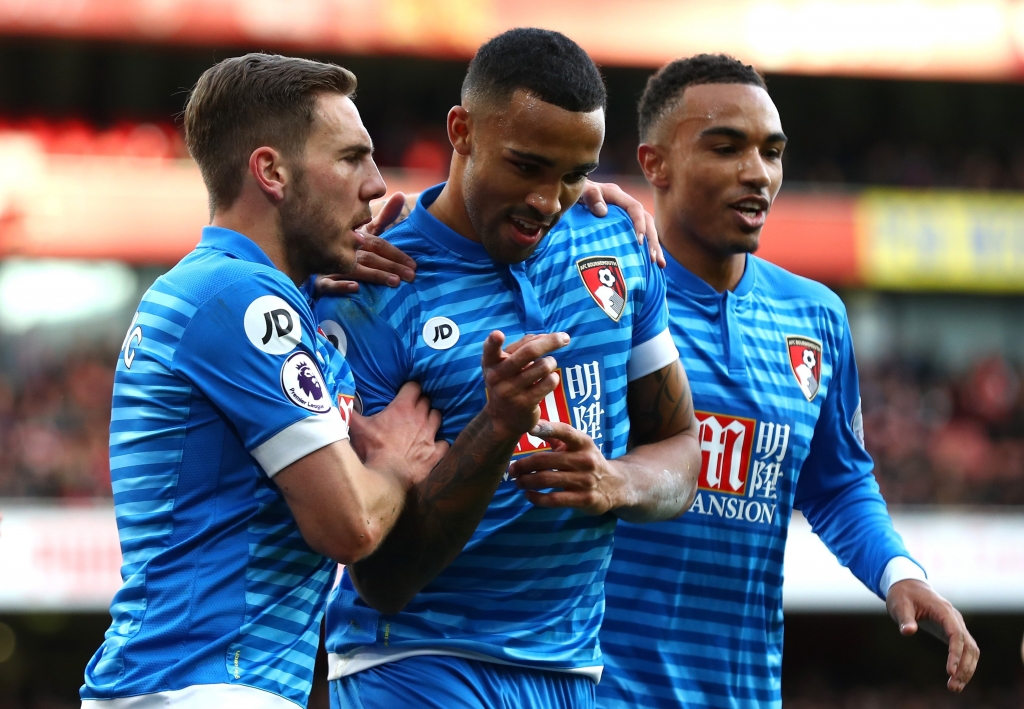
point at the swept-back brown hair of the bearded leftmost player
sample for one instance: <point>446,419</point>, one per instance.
<point>244,103</point>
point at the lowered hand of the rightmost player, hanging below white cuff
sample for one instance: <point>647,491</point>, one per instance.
<point>912,603</point>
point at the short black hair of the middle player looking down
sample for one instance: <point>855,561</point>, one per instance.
<point>546,64</point>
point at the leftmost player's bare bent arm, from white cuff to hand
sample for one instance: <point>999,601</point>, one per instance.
<point>345,509</point>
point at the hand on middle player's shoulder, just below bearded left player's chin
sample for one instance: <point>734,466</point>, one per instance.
<point>377,261</point>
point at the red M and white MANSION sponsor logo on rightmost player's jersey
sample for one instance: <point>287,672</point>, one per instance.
<point>741,468</point>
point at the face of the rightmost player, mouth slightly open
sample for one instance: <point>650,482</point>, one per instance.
<point>723,158</point>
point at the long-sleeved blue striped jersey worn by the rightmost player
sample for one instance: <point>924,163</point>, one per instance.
<point>695,612</point>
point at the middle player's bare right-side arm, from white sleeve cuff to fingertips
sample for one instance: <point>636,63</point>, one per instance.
<point>656,481</point>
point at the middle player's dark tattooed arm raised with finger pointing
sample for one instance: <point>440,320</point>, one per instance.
<point>443,512</point>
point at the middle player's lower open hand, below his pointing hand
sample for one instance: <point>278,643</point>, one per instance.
<point>575,466</point>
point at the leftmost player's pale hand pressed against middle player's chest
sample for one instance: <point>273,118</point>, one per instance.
<point>401,439</point>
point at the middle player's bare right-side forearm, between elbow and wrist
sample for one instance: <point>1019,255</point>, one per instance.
<point>659,480</point>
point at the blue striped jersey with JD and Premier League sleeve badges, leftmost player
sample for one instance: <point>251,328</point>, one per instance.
<point>222,383</point>
